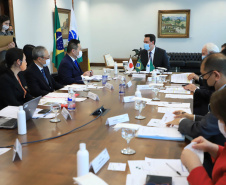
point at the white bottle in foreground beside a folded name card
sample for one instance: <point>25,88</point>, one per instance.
<point>82,160</point>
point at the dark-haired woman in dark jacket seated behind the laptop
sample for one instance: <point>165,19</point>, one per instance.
<point>13,88</point>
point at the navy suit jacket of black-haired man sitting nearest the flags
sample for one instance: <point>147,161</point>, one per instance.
<point>68,72</point>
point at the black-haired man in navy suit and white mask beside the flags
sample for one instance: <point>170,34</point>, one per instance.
<point>69,70</point>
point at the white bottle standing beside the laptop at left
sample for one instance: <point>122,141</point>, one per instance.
<point>21,121</point>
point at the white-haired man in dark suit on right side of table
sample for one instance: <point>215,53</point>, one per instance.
<point>202,94</point>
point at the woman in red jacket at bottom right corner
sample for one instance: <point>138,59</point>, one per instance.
<point>198,175</point>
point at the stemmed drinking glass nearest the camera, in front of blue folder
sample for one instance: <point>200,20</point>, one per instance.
<point>128,134</point>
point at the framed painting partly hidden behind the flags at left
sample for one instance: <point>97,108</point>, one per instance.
<point>64,16</point>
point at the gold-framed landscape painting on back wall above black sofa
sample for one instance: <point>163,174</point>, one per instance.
<point>173,23</point>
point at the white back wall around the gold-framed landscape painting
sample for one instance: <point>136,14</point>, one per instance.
<point>118,26</point>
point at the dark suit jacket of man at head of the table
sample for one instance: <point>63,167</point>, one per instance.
<point>160,58</point>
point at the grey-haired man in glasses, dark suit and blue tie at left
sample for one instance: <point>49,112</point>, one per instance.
<point>38,77</point>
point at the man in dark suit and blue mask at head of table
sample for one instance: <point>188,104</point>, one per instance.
<point>156,55</point>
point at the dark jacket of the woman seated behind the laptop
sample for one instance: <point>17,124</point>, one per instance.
<point>11,92</point>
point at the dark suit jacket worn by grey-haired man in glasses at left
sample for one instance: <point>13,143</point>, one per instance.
<point>37,83</point>
